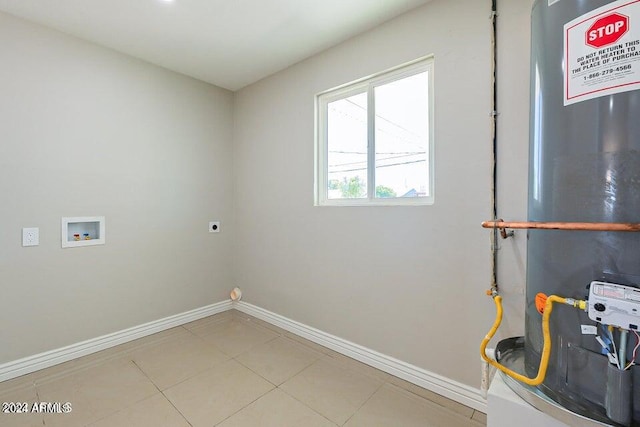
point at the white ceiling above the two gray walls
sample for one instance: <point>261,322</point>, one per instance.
<point>229,43</point>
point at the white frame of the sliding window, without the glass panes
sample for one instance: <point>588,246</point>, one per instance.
<point>368,84</point>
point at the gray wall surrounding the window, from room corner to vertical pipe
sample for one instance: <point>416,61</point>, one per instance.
<point>406,281</point>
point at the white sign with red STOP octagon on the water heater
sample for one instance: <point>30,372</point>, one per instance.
<point>602,52</point>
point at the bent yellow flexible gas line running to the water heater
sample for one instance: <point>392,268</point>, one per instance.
<point>546,348</point>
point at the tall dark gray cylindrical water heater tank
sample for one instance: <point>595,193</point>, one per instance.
<point>584,167</point>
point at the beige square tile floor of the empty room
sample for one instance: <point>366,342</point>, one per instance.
<point>227,370</point>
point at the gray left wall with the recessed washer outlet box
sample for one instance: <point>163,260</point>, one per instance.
<point>87,131</point>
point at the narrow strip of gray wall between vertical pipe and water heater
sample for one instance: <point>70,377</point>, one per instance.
<point>513,156</point>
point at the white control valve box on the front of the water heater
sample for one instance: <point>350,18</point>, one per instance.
<point>615,305</point>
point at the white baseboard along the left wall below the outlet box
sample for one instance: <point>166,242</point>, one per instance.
<point>36,362</point>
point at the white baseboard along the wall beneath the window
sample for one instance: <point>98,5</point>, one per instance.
<point>454,390</point>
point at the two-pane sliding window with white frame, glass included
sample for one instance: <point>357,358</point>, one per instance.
<point>374,139</point>
